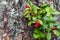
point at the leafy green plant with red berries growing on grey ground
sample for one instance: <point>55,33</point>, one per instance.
<point>44,20</point>
